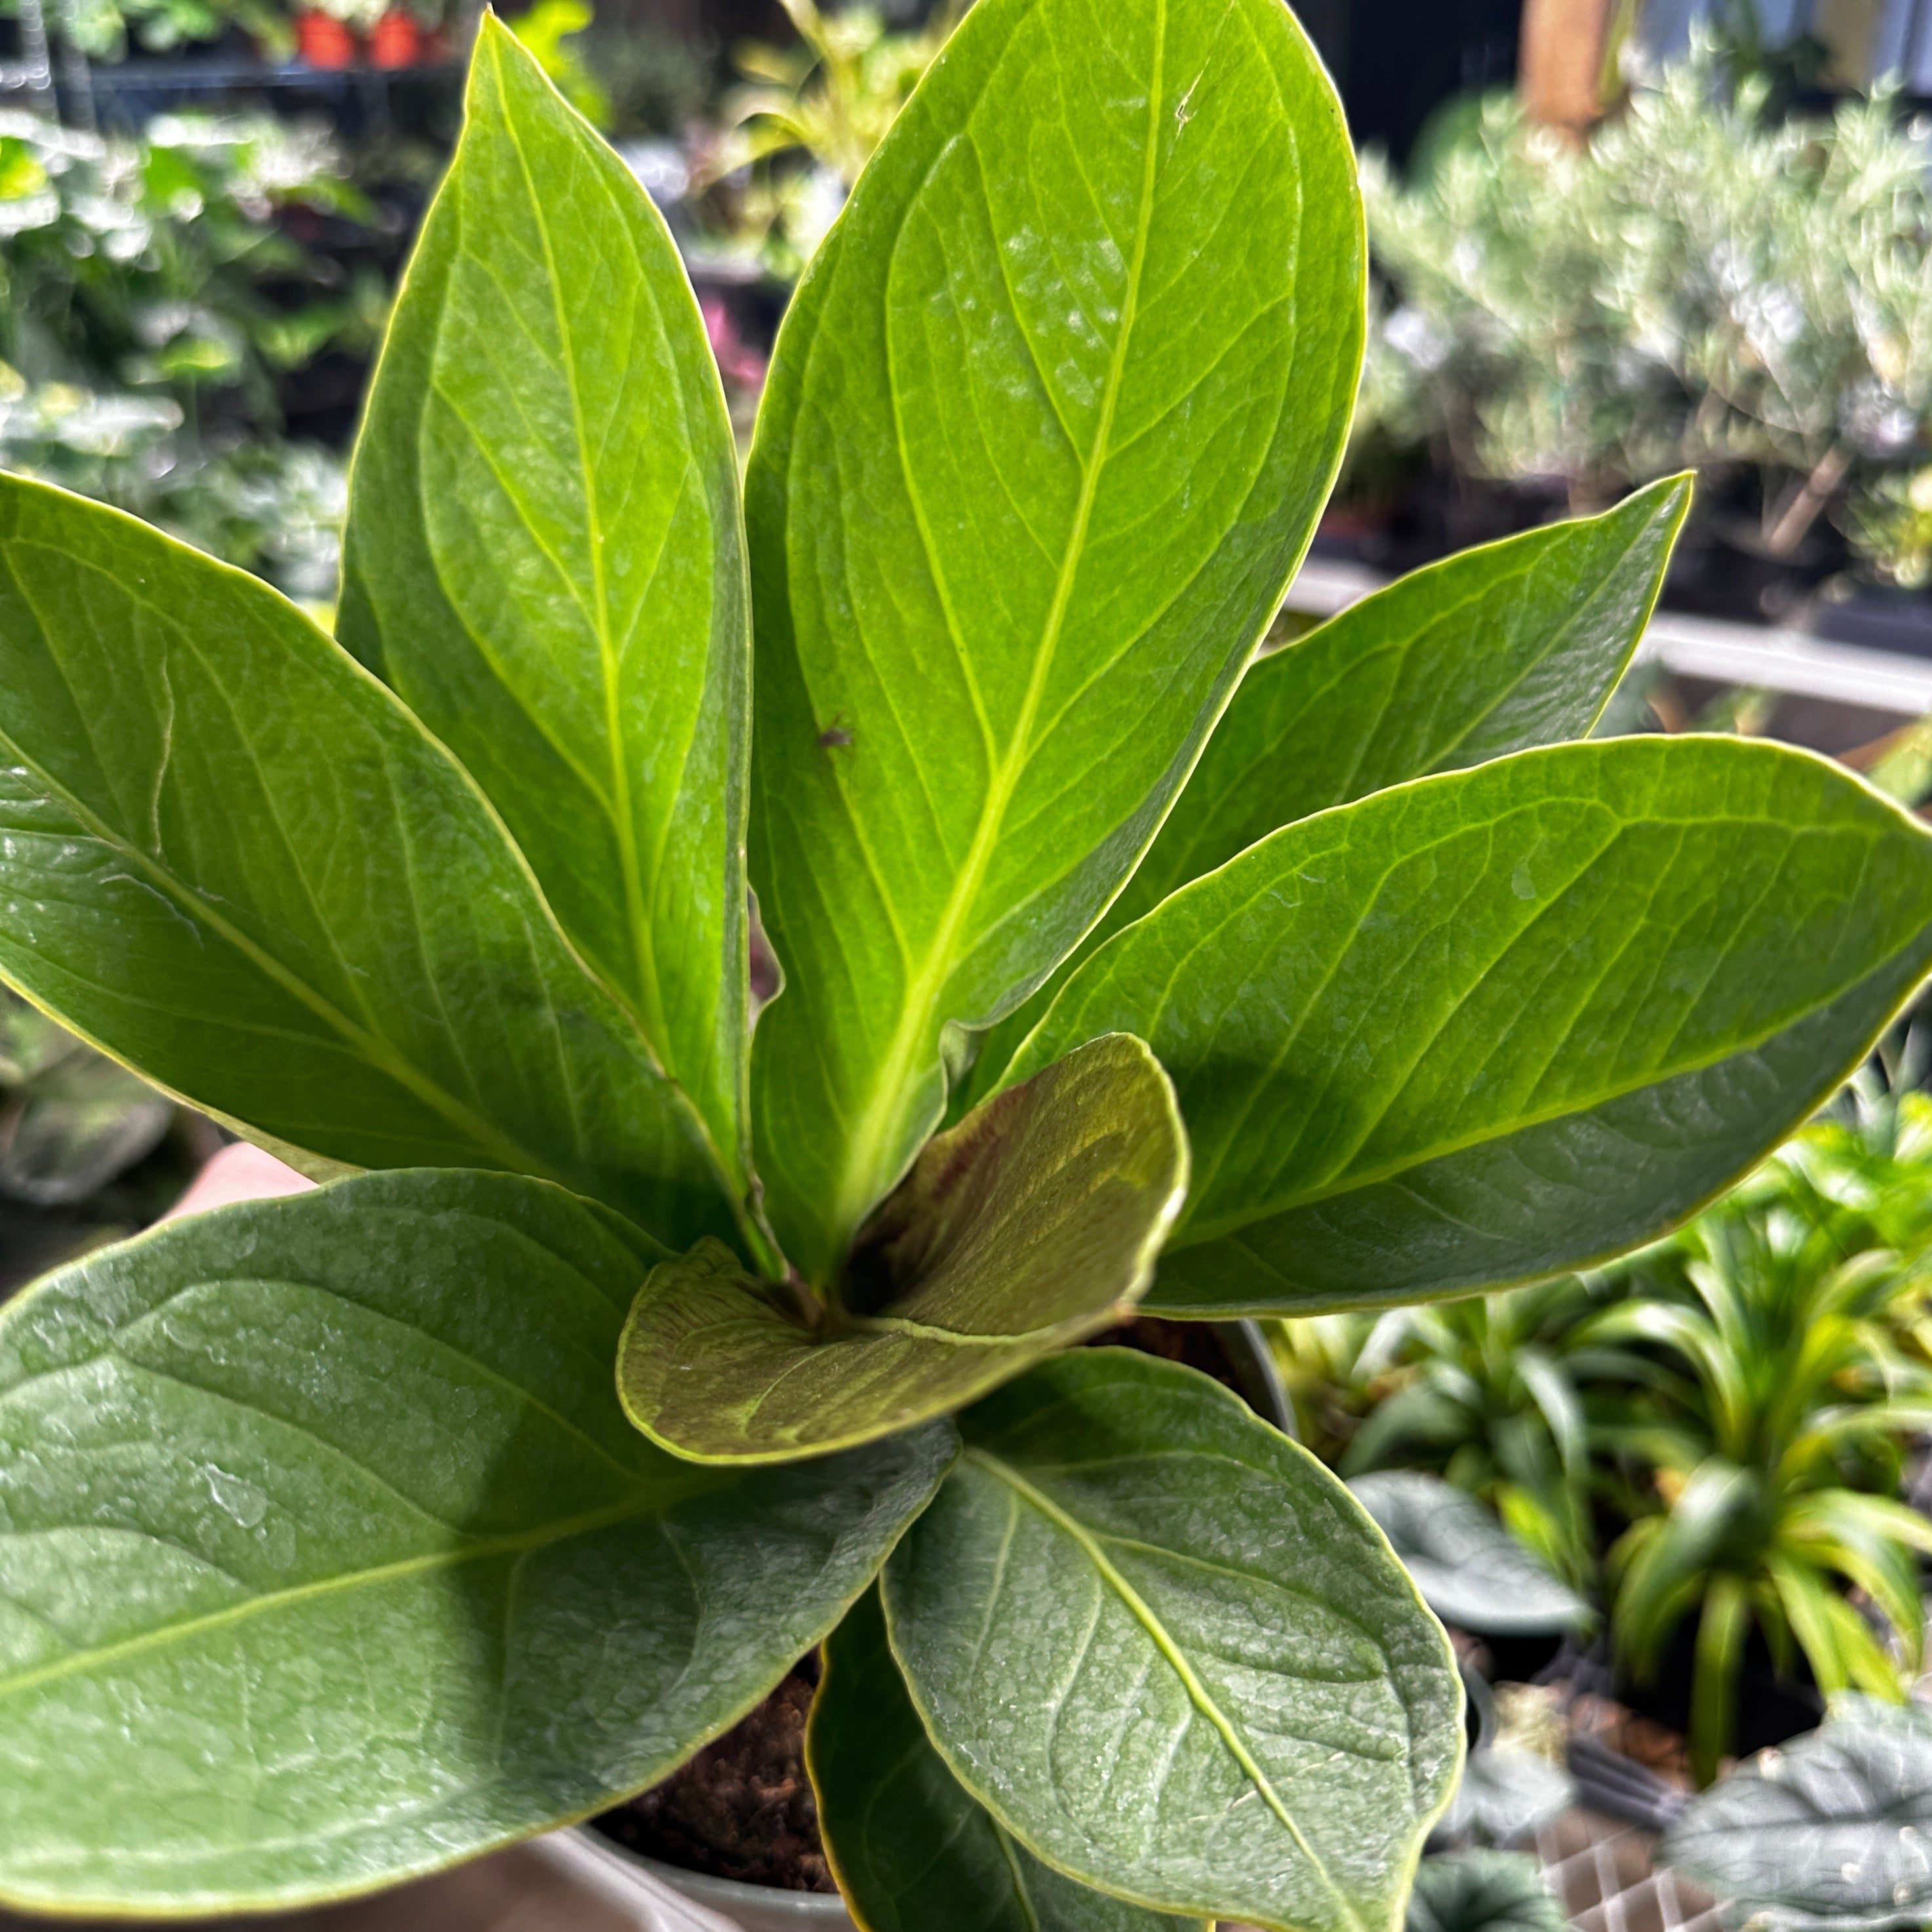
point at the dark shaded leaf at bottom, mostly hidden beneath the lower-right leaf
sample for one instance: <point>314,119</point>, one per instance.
<point>909,1848</point>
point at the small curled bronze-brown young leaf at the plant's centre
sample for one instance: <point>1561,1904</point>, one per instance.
<point>1023,1232</point>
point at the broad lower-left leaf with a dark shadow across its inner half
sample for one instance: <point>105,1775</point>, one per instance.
<point>327,1554</point>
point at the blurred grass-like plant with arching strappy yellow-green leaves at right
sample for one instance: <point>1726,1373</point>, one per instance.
<point>1778,1407</point>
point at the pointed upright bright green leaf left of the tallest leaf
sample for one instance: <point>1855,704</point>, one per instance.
<point>546,559</point>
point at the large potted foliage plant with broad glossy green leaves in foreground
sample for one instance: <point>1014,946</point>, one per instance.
<point>633,1351</point>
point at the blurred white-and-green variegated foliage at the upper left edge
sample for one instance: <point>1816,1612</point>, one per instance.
<point>154,302</point>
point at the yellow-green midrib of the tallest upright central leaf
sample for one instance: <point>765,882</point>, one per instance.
<point>874,1129</point>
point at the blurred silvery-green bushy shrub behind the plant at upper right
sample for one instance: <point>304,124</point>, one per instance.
<point>1703,285</point>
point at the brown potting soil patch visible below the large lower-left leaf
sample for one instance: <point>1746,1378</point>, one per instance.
<point>743,1807</point>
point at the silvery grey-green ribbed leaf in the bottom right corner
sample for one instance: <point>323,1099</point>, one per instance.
<point>1829,1834</point>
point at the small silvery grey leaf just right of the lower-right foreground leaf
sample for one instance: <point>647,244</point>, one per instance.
<point>1471,1572</point>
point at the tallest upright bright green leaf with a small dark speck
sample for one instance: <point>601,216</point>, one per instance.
<point>1048,430</point>
